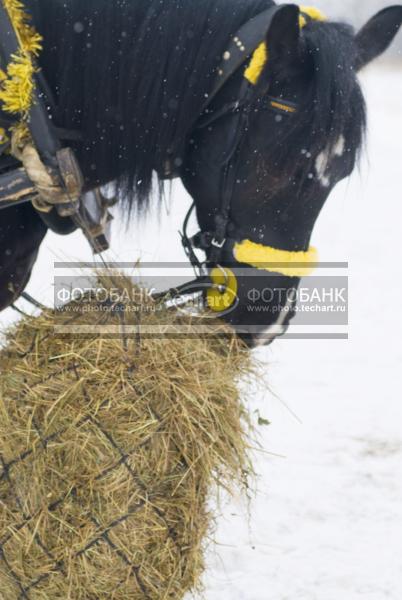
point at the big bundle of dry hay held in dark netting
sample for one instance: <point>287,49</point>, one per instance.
<point>109,451</point>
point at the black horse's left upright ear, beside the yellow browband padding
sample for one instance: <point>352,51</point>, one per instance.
<point>283,35</point>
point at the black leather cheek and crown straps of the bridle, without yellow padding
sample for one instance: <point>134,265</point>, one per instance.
<point>221,239</point>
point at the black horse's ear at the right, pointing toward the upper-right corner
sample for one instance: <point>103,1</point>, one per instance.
<point>375,37</point>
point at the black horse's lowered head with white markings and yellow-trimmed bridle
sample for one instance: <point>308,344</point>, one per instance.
<point>275,140</point>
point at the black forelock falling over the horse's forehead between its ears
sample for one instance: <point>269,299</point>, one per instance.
<point>332,106</point>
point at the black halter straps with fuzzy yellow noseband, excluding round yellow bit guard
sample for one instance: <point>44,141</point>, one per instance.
<point>252,35</point>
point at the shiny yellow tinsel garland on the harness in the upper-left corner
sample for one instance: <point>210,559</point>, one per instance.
<point>17,83</point>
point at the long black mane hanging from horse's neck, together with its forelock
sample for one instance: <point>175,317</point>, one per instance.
<point>133,75</point>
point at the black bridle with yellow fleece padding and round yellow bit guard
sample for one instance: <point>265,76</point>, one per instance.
<point>220,243</point>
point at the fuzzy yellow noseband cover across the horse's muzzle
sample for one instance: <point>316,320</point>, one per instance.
<point>290,264</point>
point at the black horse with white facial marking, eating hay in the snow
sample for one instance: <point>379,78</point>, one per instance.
<point>134,78</point>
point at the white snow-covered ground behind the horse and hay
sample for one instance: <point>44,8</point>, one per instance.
<point>326,522</point>
